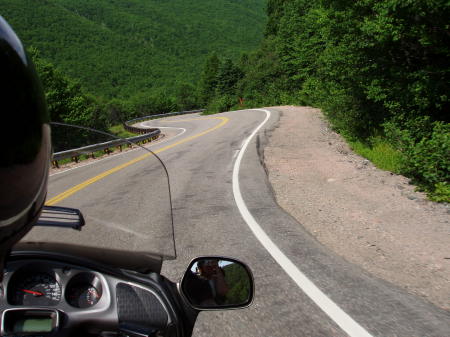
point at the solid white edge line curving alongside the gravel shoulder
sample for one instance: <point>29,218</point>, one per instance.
<point>342,319</point>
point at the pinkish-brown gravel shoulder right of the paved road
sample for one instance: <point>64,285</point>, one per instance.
<point>370,217</point>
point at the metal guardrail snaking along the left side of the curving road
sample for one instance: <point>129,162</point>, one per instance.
<point>148,134</point>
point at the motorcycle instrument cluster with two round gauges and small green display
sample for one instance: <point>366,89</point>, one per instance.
<point>40,296</point>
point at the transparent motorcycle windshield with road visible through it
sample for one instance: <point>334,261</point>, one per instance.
<point>122,190</point>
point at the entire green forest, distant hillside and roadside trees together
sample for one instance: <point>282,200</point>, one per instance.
<point>378,69</point>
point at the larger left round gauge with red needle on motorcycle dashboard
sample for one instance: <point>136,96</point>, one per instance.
<point>35,290</point>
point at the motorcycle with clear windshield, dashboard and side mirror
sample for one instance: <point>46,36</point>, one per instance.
<point>92,264</point>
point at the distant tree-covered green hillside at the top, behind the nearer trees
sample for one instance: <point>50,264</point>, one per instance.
<point>117,48</point>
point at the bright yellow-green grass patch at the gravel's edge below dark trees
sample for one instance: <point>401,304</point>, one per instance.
<point>380,153</point>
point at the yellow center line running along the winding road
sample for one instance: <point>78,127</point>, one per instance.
<point>92,180</point>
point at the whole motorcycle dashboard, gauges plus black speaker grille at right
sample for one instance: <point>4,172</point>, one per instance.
<point>53,298</point>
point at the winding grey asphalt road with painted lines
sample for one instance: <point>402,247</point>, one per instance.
<point>200,154</point>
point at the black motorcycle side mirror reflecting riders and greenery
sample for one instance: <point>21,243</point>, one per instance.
<point>217,283</point>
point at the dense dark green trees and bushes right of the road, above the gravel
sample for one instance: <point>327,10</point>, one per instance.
<point>377,68</point>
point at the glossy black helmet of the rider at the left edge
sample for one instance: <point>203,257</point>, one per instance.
<point>24,139</point>
